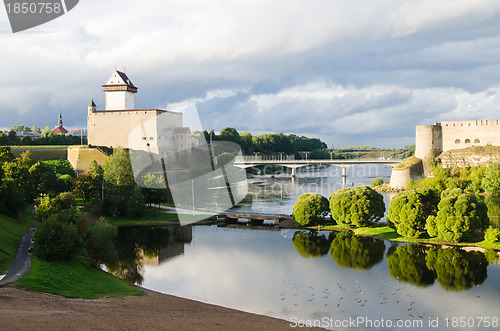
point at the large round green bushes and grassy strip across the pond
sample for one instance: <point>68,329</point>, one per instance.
<point>417,215</point>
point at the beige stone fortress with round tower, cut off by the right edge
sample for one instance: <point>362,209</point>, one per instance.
<point>432,140</point>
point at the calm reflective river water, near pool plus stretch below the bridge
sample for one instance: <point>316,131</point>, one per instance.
<point>323,276</point>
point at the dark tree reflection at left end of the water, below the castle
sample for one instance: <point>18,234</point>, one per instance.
<point>132,244</point>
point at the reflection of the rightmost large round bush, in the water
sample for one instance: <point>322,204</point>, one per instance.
<point>457,269</point>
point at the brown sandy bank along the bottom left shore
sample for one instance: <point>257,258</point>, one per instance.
<point>26,310</point>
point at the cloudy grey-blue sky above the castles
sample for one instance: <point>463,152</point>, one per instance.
<point>349,72</point>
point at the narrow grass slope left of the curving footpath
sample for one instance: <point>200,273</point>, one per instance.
<point>11,232</point>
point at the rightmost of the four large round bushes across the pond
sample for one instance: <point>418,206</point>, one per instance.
<point>457,217</point>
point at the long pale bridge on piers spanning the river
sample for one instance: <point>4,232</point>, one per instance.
<point>249,161</point>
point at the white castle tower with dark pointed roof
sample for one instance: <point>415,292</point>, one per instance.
<point>119,91</point>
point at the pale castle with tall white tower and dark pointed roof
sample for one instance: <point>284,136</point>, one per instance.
<point>121,125</point>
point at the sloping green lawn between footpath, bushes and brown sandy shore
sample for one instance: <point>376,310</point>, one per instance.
<point>74,279</point>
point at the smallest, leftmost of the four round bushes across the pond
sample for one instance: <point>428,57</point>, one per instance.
<point>310,208</point>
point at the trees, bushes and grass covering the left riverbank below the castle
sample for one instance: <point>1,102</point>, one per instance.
<point>69,247</point>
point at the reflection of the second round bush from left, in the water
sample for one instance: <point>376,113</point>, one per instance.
<point>349,251</point>
